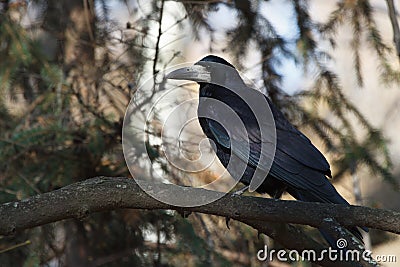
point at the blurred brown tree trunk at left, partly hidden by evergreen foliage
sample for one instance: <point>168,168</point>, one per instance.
<point>71,25</point>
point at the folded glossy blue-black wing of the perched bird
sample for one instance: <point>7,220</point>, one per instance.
<point>297,161</point>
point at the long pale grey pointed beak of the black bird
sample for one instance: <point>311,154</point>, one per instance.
<point>194,73</point>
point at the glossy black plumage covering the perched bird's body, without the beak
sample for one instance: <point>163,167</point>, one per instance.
<point>298,166</point>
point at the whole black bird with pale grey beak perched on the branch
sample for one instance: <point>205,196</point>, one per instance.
<point>298,167</point>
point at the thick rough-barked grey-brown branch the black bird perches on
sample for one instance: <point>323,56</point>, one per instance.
<point>103,194</point>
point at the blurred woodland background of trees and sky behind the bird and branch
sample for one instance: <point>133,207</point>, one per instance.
<point>68,70</point>
